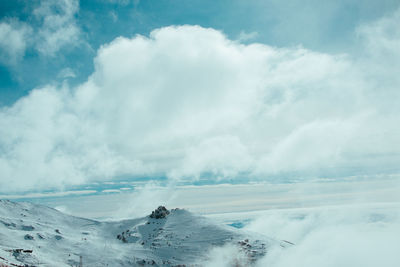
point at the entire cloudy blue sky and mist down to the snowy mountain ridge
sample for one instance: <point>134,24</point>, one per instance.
<point>279,116</point>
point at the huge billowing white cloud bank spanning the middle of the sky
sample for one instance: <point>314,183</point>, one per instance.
<point>188,103</point>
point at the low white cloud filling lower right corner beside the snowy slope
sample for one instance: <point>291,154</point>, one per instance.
<point>339,236</point>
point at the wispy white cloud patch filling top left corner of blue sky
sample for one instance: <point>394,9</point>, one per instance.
<point>57,29</point>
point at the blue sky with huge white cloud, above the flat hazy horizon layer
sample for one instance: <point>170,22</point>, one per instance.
<point>197,92</point>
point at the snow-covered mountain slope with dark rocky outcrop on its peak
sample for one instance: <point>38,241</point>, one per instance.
<point>35,235</point>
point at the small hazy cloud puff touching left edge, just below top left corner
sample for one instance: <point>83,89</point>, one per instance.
<point>14,37</point>
